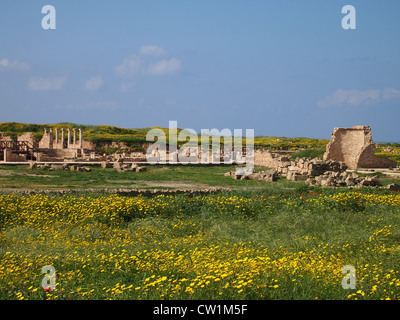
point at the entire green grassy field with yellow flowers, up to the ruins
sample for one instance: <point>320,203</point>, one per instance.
<point>262,240</point>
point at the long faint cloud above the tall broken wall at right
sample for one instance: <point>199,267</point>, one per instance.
<point>356,97</point>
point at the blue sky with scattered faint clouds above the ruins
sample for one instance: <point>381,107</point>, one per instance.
<point>282,68</point>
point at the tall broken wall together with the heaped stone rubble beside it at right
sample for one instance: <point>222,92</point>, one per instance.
<point>349,148</point>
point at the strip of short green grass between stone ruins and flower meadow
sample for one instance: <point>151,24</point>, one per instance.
<point>20,177</point>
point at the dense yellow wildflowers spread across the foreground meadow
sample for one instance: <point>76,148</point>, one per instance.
<point>94,257</point>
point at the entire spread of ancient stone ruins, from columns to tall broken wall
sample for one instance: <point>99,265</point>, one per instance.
<point>349,148</point>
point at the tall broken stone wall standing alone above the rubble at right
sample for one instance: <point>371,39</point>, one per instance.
<point>355,147</point>
